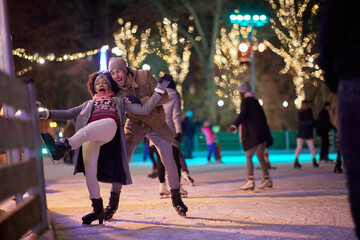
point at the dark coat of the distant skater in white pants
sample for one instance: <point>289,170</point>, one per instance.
<point>306,124</point>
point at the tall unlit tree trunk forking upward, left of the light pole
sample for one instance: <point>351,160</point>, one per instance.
<point>203,43</point>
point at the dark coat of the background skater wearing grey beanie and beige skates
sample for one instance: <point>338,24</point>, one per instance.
<point>254,128</point>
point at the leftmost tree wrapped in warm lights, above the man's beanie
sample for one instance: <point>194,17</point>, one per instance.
<point>128,43</point>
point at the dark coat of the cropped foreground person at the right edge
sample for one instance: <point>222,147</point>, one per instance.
<point>338,42</point>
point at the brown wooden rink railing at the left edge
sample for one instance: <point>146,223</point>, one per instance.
<point>22,174</point>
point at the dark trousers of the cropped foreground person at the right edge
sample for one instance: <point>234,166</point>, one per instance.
<point>349,130</point>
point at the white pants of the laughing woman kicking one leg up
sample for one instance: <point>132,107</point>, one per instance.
<point>92,137</point>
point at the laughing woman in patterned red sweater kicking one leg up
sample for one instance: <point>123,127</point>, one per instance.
<point>99,140</point>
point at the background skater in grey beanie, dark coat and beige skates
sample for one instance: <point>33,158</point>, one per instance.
<point>255,136</point>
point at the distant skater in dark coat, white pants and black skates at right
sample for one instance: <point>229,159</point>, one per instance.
<point>306,124</point>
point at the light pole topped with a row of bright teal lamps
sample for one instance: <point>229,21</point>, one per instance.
<point>254,21</point>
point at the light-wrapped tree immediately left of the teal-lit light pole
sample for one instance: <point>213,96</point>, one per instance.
<point>228,62</point>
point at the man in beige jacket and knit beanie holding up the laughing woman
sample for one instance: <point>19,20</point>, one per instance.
<point>141,84</point>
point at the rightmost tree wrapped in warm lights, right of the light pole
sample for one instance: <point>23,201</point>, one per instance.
<point>297,47</point>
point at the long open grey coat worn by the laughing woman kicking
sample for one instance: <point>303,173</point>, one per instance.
<point>112,163</point>
